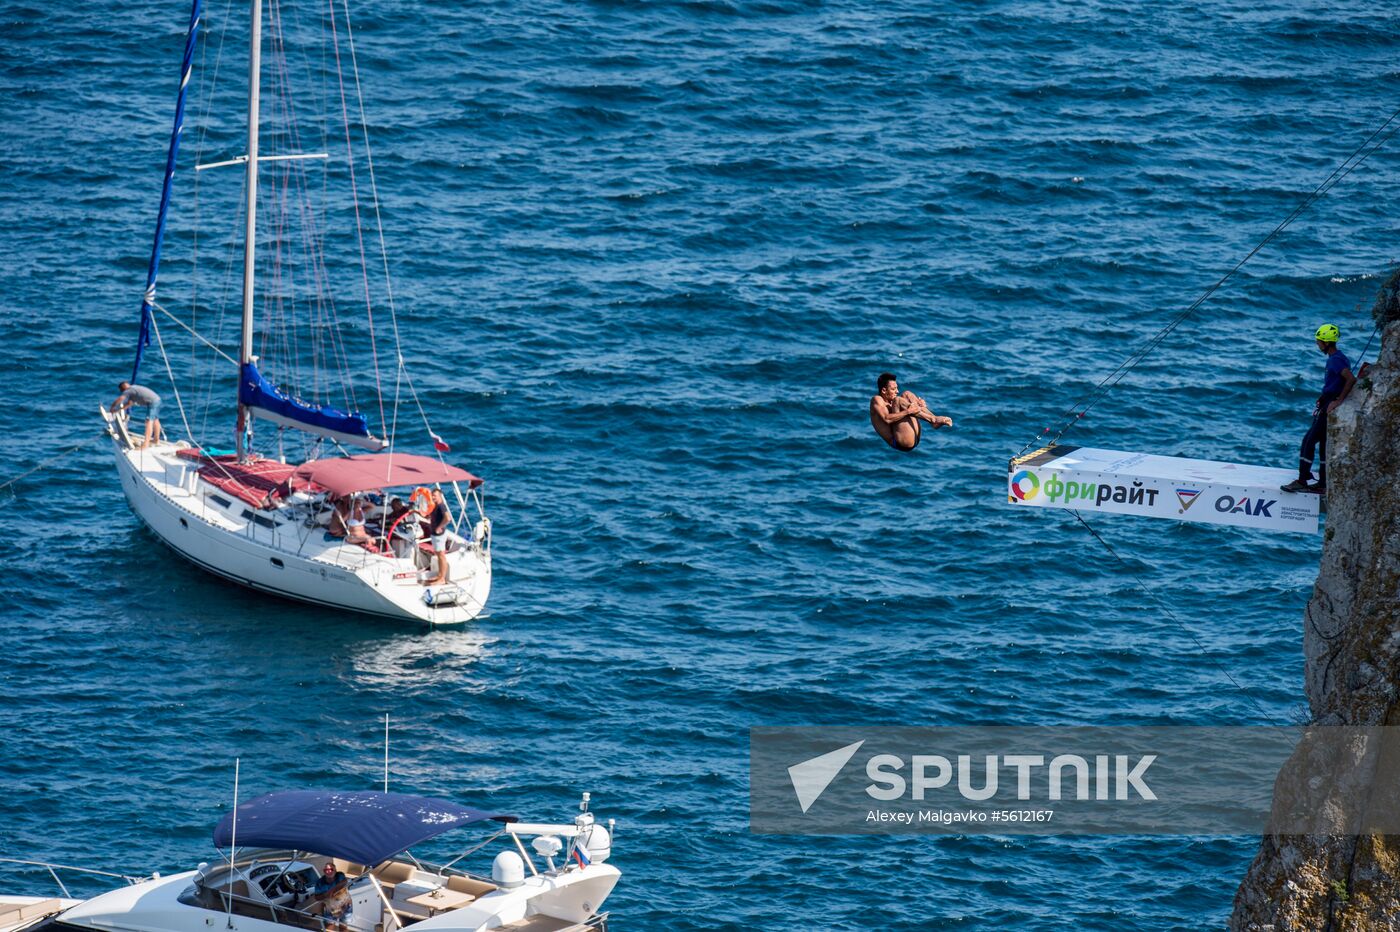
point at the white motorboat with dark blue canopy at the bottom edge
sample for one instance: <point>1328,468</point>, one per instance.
<point>276,847</point>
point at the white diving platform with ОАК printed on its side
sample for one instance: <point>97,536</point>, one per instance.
<point>1195,490</point>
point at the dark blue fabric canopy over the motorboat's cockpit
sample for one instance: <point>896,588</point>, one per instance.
<point>365,828</point>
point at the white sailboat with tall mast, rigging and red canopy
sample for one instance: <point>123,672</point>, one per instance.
<point>334,527</point>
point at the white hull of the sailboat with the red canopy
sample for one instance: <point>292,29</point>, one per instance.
<point>289,559</point>
